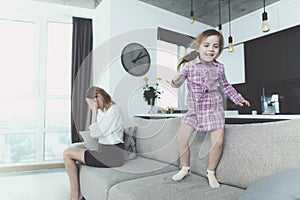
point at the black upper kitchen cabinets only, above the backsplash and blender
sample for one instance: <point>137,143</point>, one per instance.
<point>273,58</point>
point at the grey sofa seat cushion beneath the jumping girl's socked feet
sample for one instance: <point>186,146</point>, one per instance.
<point>162,187</point>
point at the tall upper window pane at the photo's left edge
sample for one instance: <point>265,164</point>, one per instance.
<point>17,52</point>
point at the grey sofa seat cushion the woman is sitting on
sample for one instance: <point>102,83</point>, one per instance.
<point>95,182</point>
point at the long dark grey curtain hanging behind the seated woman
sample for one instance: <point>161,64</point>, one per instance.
<point>81,75</point>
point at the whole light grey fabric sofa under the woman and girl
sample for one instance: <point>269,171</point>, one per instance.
<point>252,152</point>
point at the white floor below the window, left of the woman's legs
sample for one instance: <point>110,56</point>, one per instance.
<point>36,185</point>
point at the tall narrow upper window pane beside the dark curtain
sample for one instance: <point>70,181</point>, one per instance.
<point>59,56</point>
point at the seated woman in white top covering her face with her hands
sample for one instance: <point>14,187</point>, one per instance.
<point>107,126</point>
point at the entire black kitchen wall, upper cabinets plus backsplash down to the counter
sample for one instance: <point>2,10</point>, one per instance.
<point>273,62</point>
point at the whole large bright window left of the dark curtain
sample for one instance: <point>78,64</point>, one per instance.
<point>35,91</point>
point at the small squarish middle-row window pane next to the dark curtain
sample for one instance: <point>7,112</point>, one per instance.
<point>58,113</point>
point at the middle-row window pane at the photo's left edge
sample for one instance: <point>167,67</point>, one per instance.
<point>18,114</point>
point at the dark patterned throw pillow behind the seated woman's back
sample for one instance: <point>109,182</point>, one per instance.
<point>129,139</point>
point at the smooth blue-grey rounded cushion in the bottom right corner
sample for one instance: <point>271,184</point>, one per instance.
<point>282,185</point>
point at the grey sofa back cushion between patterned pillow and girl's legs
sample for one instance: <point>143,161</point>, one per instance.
<point>157,139</point>
